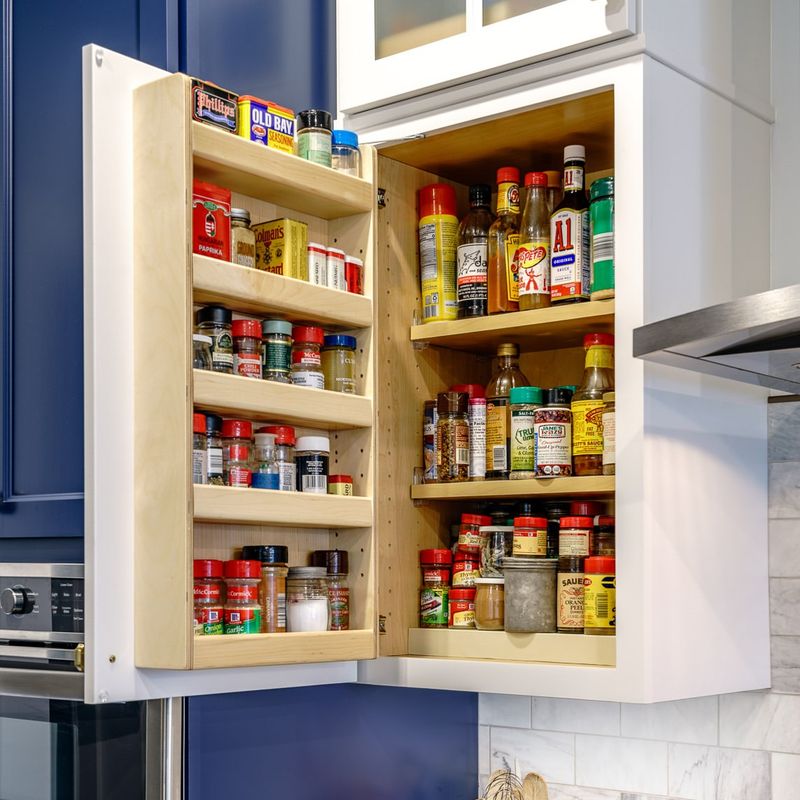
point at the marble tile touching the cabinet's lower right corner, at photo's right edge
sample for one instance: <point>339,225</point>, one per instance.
<point>760,721</point>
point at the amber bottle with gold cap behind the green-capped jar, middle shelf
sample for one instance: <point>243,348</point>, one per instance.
<point>498,419</point>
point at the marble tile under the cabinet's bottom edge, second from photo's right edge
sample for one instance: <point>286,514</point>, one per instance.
<point>693,721</point>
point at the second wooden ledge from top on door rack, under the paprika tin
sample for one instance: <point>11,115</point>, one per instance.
<point>251,291</point>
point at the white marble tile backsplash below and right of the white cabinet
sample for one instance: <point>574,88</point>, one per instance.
<point>733,747</point>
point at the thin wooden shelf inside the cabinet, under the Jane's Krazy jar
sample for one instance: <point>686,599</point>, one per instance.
<point>590,486</point>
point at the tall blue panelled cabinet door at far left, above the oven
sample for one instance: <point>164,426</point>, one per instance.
<point>41,262</point>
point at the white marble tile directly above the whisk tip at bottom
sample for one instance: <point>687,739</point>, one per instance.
<point>552,755</point>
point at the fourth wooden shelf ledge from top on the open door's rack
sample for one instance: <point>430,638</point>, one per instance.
<point>269,507</point>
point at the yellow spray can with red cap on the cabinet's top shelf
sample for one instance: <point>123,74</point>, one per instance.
<point>438,234</point>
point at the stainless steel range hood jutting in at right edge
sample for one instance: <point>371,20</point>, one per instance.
<point>754,339</point>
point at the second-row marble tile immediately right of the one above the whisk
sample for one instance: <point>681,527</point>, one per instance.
<point>629,765</point>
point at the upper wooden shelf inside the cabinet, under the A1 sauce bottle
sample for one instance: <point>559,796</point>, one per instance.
<point>540,329</point>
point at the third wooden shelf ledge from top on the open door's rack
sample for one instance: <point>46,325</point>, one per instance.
<point>233,395</point>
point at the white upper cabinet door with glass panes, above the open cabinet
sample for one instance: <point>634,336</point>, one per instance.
<point>391,49</point>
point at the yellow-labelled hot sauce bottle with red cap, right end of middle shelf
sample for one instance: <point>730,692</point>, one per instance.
<point>587,404</point>
